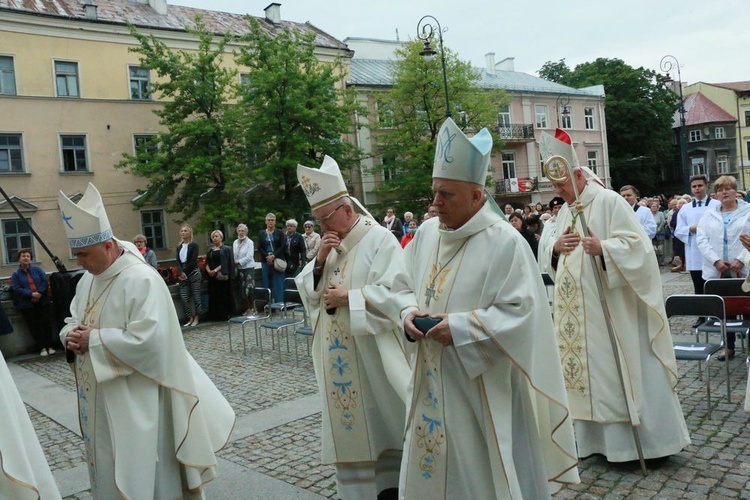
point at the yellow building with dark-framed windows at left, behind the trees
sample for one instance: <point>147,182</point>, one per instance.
<point>73,99</point>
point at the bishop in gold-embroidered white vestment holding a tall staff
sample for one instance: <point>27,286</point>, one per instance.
<point>633,294</point>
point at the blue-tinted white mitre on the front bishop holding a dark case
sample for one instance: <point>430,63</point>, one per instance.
<point>462,158</point>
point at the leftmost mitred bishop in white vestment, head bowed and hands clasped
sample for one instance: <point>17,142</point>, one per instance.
<point>151,419</point>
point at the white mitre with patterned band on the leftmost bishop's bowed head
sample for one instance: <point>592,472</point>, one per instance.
<point>85,223</point>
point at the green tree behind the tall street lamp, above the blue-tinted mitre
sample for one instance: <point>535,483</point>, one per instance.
<point>412,112</point>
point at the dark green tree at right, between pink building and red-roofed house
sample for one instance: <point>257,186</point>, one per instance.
<point>640,110</point>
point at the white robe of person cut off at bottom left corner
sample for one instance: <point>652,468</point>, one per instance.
<point>24,473</point>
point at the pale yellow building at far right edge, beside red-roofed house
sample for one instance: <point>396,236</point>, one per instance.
<point>734,98</point>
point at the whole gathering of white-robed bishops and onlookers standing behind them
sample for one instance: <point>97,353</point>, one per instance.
<point>442,369</point>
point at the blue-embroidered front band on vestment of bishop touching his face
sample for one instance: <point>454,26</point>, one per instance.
<point>337,351</point>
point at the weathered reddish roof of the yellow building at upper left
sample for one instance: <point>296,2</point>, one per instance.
<point>177,18</point>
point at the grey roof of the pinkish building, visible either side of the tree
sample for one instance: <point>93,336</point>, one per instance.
<point>379,72</point>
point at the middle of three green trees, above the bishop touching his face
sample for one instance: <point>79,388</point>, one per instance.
<point>293,110</point>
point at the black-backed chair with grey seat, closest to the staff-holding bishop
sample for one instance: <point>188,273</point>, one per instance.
<point>709,306</point>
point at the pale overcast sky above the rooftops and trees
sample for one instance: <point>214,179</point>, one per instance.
<point>711,39</point>
